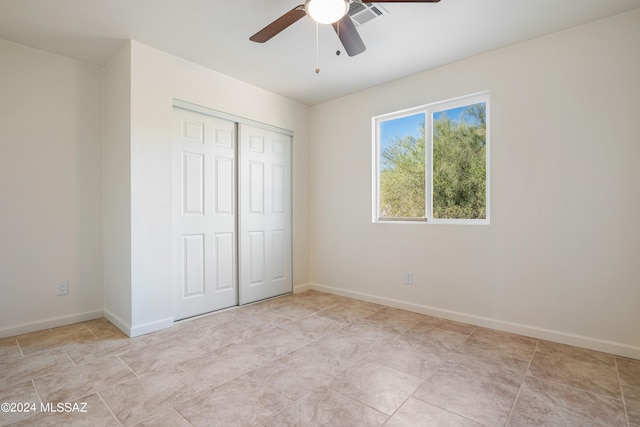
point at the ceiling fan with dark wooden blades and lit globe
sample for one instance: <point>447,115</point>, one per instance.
<point>334,12</point>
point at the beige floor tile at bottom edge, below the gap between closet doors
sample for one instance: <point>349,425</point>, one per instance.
<point>241,402</point>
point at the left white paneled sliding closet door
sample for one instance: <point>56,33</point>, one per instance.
<point>204,211</point>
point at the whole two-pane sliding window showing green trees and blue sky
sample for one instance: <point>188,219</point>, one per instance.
<point>431,163</point>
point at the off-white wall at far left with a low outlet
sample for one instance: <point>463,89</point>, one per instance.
<point>50,189</point>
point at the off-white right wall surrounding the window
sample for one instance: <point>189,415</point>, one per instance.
<point>560,258</point>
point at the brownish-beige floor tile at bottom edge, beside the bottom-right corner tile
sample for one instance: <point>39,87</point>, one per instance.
<point>546,403</point>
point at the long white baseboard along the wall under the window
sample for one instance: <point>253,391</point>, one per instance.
<point>596,344</point>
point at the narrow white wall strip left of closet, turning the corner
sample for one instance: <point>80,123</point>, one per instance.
<point>116,167</point>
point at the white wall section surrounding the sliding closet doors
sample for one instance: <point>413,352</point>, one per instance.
<point>156,79</point>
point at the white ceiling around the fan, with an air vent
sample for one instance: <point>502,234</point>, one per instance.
<point>215,34</point>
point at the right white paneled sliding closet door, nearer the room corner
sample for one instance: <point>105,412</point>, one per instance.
<point>265,214</point>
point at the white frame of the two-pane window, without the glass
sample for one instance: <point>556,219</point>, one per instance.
<point>428,110</point>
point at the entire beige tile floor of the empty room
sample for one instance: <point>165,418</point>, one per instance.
<point>312,359</point>
